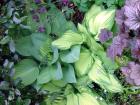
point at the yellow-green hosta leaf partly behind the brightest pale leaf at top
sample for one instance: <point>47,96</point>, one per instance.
<point>91,14</point>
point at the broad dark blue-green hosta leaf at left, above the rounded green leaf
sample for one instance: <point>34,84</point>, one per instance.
<point>30,45</point>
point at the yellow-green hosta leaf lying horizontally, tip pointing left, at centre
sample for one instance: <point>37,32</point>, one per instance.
<point>69,39</point>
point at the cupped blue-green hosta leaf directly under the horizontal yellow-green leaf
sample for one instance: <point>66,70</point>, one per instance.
<point>71,56</point>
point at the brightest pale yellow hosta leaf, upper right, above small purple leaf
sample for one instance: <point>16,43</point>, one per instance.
<point>104,19</point>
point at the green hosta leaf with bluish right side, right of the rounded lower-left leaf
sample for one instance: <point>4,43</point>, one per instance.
<point>53,72</point>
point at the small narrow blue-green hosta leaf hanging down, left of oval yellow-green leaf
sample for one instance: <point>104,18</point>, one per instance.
<point>69,74</point>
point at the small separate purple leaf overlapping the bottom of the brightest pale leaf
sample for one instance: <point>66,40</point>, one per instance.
<point>105,35</point>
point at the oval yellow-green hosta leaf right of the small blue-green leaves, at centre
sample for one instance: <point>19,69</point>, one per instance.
<point>83,65</point>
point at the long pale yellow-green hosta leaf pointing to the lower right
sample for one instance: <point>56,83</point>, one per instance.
<point>105,80</point>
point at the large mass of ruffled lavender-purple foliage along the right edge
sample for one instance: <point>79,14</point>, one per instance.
<point>128,37</point>
